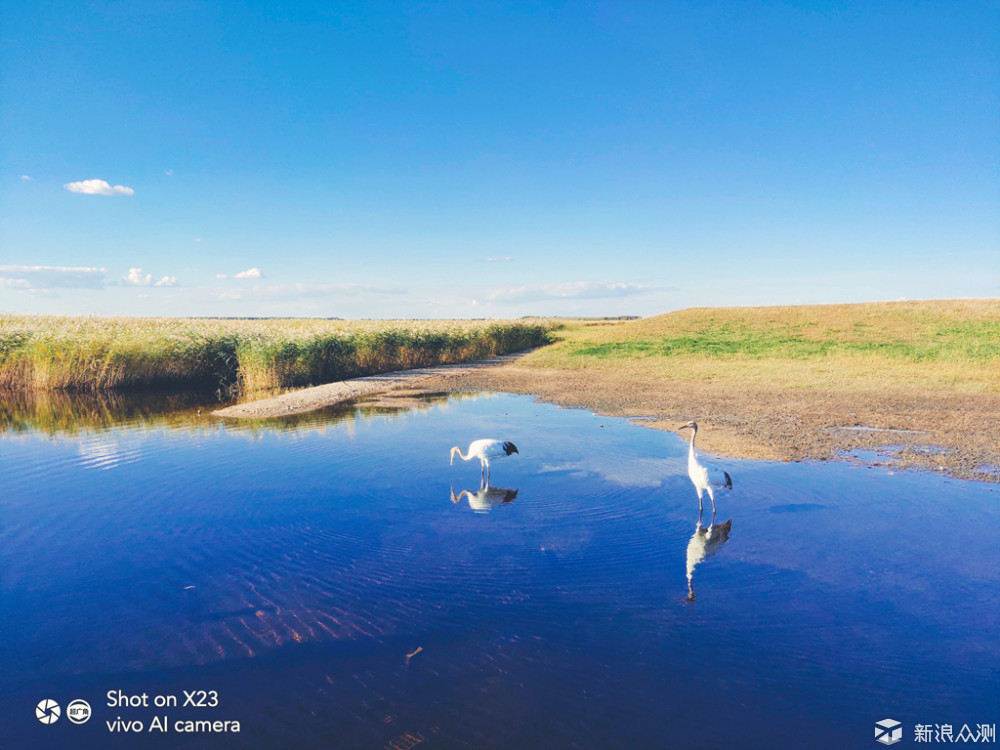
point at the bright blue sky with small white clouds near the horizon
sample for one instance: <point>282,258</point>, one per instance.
<point>455,159</point>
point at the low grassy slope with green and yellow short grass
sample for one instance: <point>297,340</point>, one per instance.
<point>936,343</point>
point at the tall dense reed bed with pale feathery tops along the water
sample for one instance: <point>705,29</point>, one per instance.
<point>61,353</point>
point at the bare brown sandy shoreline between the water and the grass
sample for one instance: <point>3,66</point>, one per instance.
<point>940,431</point>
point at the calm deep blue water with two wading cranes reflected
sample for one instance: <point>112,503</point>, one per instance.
<point>319,576</point>
